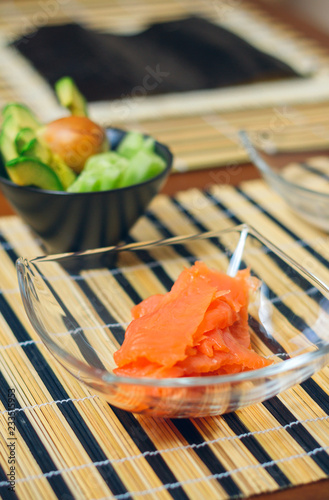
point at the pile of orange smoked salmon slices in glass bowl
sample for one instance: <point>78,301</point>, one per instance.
<point>200,327</point>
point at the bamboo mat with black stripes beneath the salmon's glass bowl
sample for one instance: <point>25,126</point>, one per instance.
<point>70,444</point>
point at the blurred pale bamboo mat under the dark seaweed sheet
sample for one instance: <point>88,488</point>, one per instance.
<point>200,127</point>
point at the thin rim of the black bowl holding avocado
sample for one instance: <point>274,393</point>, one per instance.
<point>162,174</point>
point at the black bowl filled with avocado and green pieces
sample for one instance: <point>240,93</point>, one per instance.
<point>70,222</point>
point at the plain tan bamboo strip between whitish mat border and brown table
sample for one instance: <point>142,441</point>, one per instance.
<point>211,140</point>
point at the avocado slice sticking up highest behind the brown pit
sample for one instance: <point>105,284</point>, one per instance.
<point>70,97</point>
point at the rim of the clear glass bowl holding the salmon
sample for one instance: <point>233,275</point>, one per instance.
<point>183,382</point>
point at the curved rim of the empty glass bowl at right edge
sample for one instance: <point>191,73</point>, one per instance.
<point>266,169</point>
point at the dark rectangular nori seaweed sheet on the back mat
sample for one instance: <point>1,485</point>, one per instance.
<point>177,56</point>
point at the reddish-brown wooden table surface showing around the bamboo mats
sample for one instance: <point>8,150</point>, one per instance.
<point>203,179</point>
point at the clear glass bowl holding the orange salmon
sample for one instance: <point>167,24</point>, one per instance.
<point>79,304</point>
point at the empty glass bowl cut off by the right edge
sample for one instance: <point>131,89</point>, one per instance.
<point>301,179</point>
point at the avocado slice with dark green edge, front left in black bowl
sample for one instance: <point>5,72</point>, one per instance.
<point>31,172</point>
